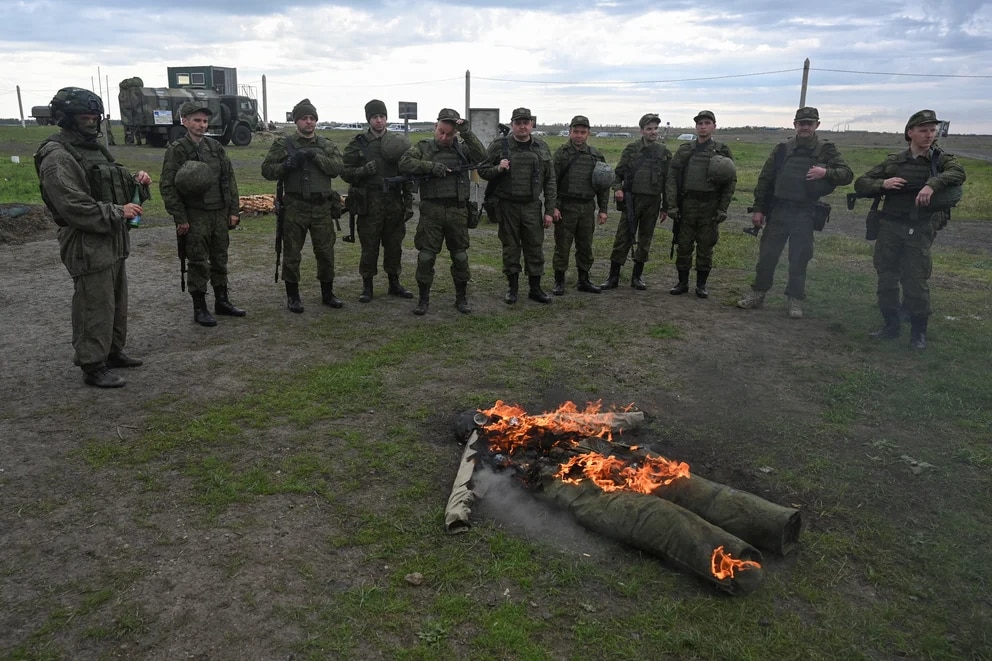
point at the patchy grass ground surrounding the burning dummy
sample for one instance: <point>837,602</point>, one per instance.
<point>302,491</point>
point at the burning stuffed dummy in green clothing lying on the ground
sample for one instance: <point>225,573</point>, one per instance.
<point>576,459</point>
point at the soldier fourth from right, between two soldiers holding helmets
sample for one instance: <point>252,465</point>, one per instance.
<point>639,191</point>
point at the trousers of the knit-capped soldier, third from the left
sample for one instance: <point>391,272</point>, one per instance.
<point>301,217</point>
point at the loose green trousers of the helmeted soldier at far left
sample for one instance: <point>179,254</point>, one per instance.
<point>99,314</point>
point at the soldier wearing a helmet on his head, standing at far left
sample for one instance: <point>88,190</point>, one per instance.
<point>90,196</point>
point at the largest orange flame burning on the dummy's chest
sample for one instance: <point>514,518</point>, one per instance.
<point>512,427</point>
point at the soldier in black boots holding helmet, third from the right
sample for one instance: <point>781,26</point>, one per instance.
<point>700,185</point>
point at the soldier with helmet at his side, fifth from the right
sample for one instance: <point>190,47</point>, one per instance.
<point>577,167</point>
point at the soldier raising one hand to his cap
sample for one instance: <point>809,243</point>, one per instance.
<point>444,202</point>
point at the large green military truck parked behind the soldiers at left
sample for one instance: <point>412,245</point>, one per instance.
<point>152,113</point>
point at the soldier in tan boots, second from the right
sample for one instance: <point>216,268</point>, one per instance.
<point>796,175</point>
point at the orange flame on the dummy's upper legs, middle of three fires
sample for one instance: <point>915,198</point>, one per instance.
<point>614,474</point>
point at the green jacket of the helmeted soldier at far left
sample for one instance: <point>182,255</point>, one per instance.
<point>97,235</point>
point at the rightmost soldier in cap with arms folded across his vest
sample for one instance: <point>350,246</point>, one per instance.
<point>913,183</point>
